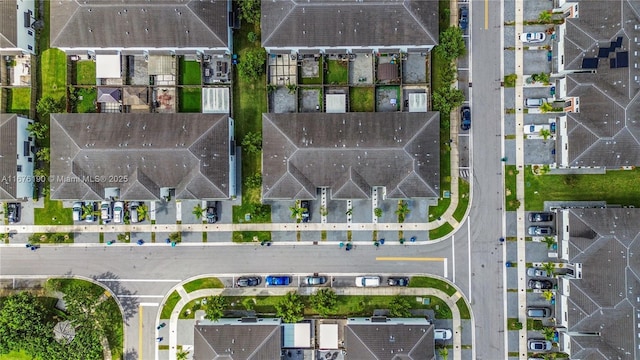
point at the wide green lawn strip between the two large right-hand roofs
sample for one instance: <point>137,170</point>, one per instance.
<point>614,187</point>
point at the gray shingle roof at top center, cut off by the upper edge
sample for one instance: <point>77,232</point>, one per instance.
<point>331,23</point>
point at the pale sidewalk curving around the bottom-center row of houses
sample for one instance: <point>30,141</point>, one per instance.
<point>187,297</point>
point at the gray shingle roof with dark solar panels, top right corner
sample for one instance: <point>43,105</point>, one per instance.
<point>606,131</point>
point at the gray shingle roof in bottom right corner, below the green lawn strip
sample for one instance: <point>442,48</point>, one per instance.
<point>605,301</point>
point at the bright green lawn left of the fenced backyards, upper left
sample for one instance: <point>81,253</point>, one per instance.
<point>54,73</point>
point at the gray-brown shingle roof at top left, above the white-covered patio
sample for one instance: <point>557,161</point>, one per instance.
<point>139,24</point>
